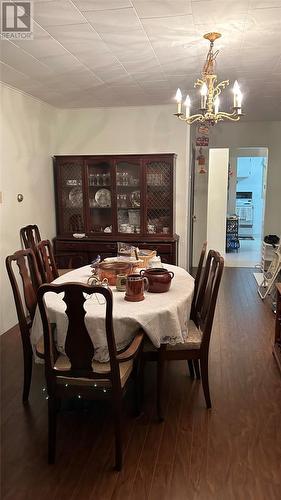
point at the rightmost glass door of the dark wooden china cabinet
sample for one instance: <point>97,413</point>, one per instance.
<point>159,204</point>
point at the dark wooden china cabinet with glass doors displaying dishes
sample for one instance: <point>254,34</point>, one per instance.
<point>128,198</point>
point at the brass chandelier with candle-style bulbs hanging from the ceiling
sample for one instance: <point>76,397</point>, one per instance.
<point>210,91</point>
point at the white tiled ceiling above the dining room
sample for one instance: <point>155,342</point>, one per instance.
<point>93,53</point>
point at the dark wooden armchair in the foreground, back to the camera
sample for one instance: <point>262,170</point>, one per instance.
<point>77,373</point>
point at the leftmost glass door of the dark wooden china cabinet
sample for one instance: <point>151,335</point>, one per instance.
<point>71,197</point>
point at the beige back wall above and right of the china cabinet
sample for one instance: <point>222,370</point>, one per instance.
<point>149,129</point>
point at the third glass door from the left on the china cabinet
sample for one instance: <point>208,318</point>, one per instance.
<point>128,196</point>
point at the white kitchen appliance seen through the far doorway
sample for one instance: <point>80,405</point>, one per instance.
<point>245,212</point>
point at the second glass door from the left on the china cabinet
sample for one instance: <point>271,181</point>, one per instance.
<point>100,196</point>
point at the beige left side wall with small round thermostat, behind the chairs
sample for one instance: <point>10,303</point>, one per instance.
<point>26,136</point>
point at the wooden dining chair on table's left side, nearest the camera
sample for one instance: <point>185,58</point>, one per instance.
<point>25,299</point>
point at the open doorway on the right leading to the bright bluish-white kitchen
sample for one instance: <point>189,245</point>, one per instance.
<point>246,203</point>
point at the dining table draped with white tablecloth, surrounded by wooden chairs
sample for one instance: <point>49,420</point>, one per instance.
<point>162,316</point>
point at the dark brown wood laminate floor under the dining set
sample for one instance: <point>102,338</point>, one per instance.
<point>230,452</point>
